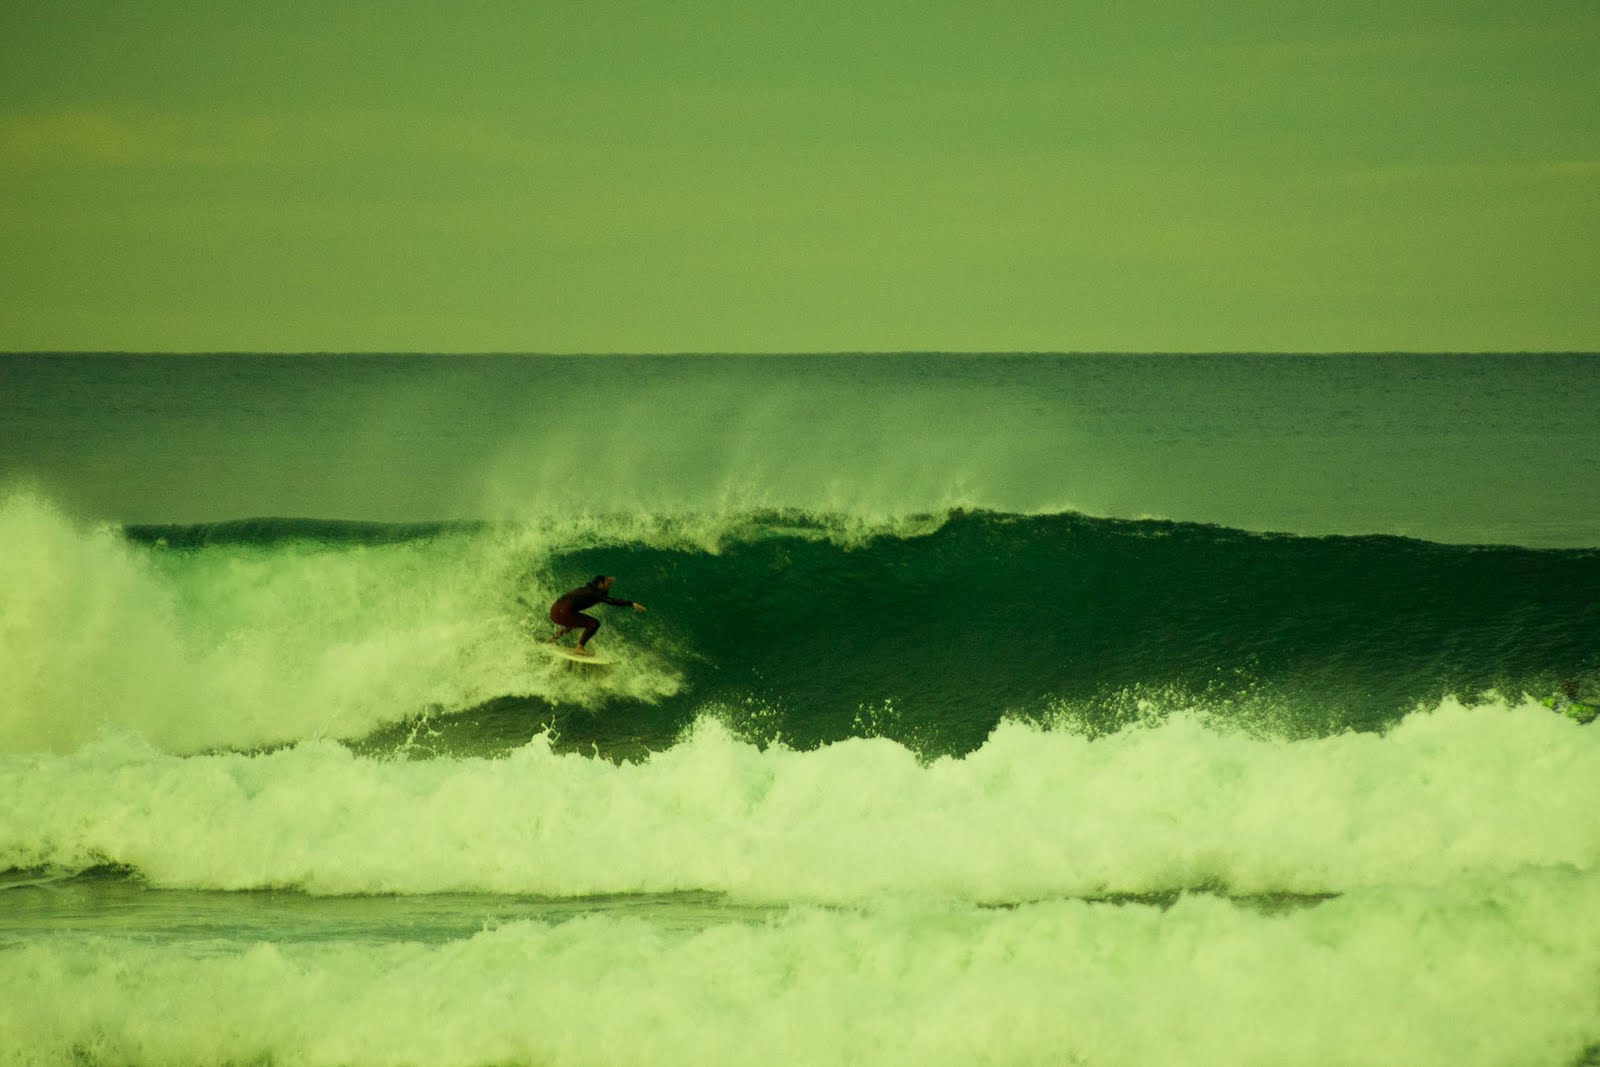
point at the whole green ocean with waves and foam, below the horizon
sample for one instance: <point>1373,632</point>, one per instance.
<point>988,709</point>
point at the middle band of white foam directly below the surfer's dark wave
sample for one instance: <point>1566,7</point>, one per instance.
<point>1030,815</point>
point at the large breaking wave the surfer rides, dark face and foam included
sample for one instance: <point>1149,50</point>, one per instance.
<point>788,626</point>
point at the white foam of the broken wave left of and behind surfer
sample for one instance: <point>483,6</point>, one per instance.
<point>242,647</point>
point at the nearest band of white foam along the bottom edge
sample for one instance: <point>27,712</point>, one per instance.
<point>1478,973</point>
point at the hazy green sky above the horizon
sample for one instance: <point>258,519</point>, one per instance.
<point>746,177</point>
